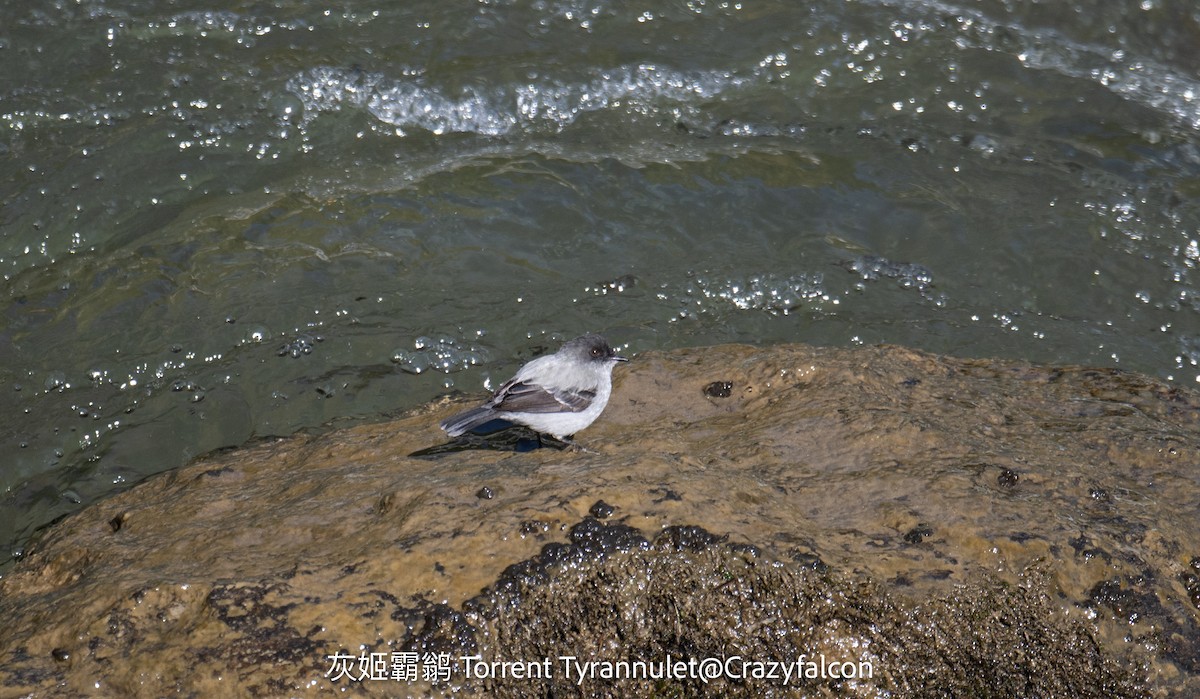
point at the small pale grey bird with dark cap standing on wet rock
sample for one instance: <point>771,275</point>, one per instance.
<point>559,395</point>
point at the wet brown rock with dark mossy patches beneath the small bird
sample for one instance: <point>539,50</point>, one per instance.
<point>964,528</point>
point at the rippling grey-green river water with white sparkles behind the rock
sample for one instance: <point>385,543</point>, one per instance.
<point>220,223</point>
